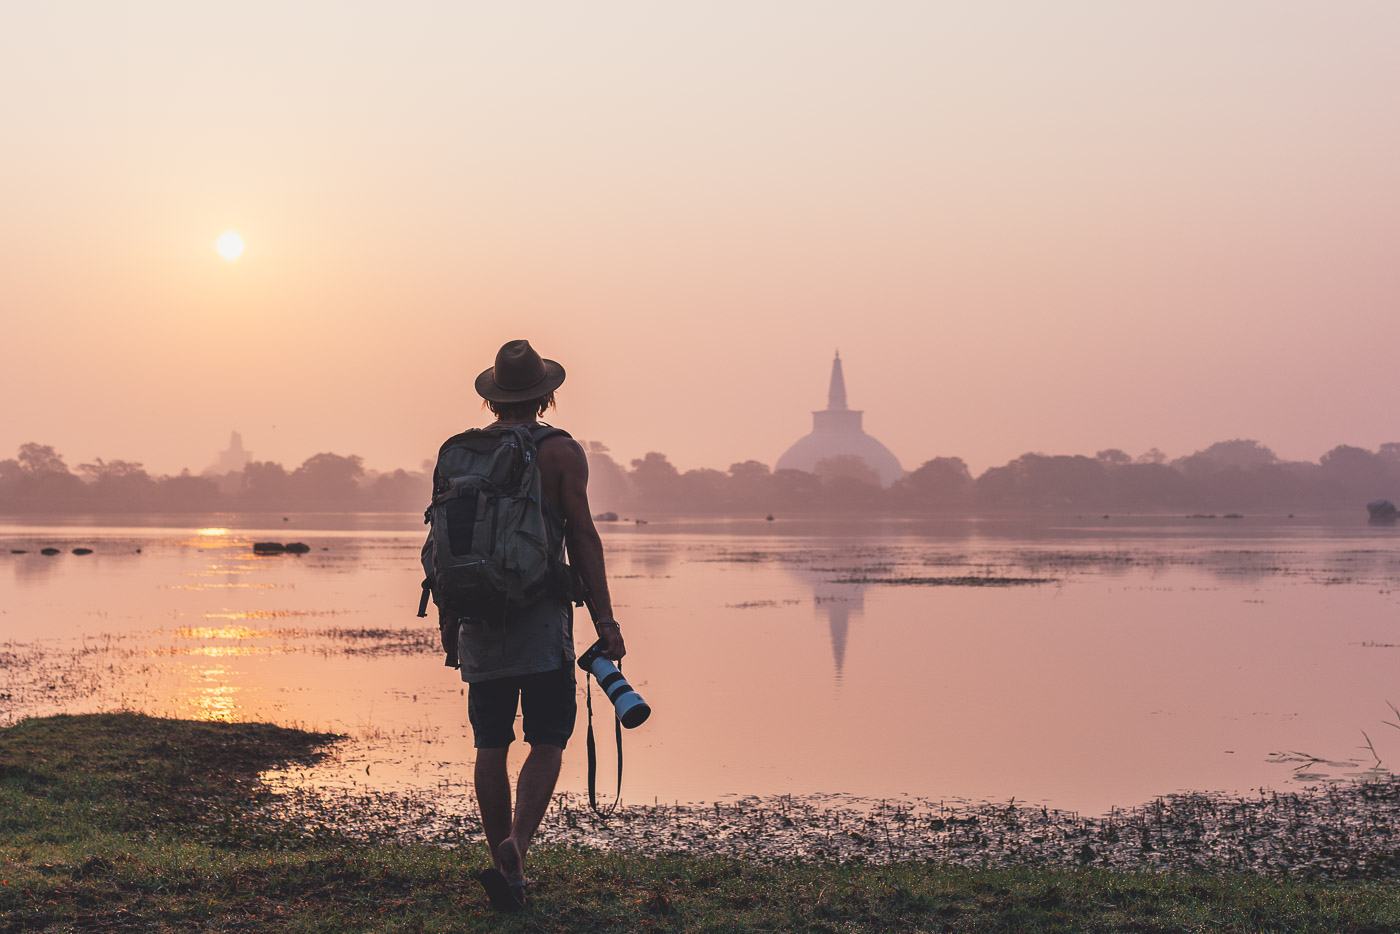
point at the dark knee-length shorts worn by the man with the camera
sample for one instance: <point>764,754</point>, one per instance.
<point>547,701</point>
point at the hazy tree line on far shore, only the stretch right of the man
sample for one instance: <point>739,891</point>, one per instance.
<point>1223,478</point>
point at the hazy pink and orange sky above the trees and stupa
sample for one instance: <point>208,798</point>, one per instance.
<point>1045,226</point>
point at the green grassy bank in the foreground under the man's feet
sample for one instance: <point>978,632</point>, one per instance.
<point>122,823</point>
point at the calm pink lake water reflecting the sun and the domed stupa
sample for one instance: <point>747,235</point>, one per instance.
<point>1143,657</point>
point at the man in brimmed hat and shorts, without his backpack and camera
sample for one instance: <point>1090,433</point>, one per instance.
<point>530,660</point>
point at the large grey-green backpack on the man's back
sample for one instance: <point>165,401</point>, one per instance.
<point>491,547</point>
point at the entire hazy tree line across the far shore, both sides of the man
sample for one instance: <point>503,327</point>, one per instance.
<point>1226,477</point>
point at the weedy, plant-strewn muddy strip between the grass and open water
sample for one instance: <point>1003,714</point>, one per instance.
<point>1342,831</point>
